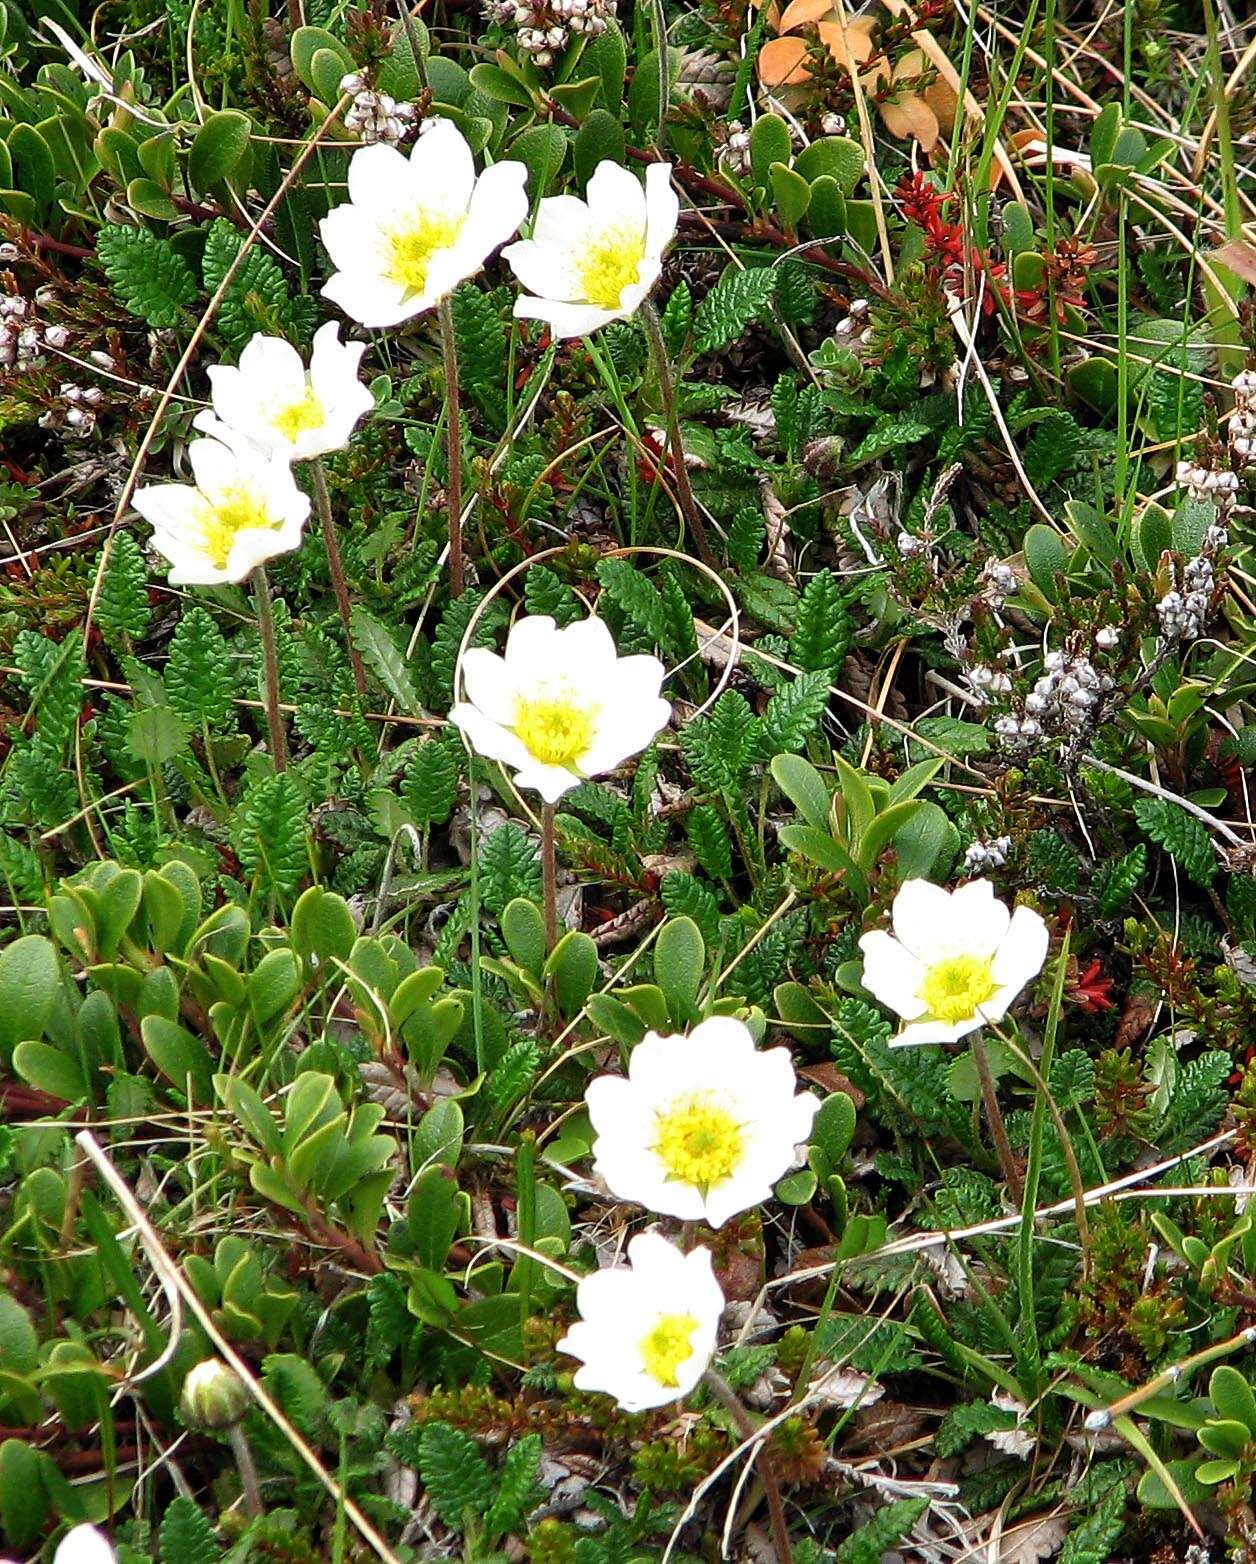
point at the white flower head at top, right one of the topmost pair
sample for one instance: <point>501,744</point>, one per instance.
<point>595,260</point>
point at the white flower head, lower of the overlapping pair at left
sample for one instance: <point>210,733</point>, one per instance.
<point>243,509</point>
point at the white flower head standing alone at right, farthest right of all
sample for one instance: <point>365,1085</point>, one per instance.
<point>956,960</point>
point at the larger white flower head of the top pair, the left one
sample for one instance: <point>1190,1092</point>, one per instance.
<point>415,228</point>
